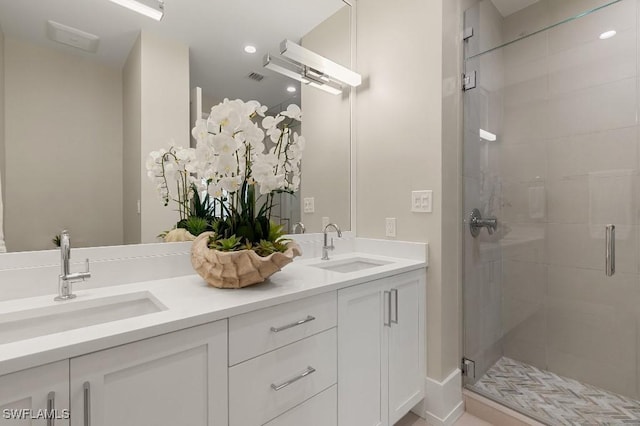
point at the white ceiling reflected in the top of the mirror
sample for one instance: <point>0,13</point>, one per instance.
<point>215,31</point>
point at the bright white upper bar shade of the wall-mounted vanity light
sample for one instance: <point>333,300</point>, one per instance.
<point>306,57</point>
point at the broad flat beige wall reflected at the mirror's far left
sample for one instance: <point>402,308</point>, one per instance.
<point>63,137</point>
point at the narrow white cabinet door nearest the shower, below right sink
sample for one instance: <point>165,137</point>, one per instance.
<point>406,344</point>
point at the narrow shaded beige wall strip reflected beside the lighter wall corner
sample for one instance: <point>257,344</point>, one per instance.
<point>132,161</point>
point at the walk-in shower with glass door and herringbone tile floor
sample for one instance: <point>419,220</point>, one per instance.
<point>551,289</point>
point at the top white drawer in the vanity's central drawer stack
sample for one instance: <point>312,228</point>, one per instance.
<point>258,332</point>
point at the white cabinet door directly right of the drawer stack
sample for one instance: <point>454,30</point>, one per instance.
<point>362,313</point>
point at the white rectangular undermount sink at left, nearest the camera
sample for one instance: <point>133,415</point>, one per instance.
<point>75,314</point>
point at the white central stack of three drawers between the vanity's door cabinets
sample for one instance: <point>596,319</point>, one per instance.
<point>285,369</point>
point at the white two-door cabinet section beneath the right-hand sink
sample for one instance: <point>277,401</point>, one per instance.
<point>381,350</point>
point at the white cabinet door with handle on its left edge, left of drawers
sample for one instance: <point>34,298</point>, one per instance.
<point>178,378</point>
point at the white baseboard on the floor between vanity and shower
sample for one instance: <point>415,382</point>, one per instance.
<point>443,400</point>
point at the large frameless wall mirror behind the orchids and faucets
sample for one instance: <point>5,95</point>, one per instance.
<point>65,112</point>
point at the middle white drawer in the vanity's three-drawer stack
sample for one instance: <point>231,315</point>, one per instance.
<point>253,400</point>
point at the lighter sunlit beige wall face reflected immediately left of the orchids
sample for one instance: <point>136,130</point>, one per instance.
<point>164,121</point>
